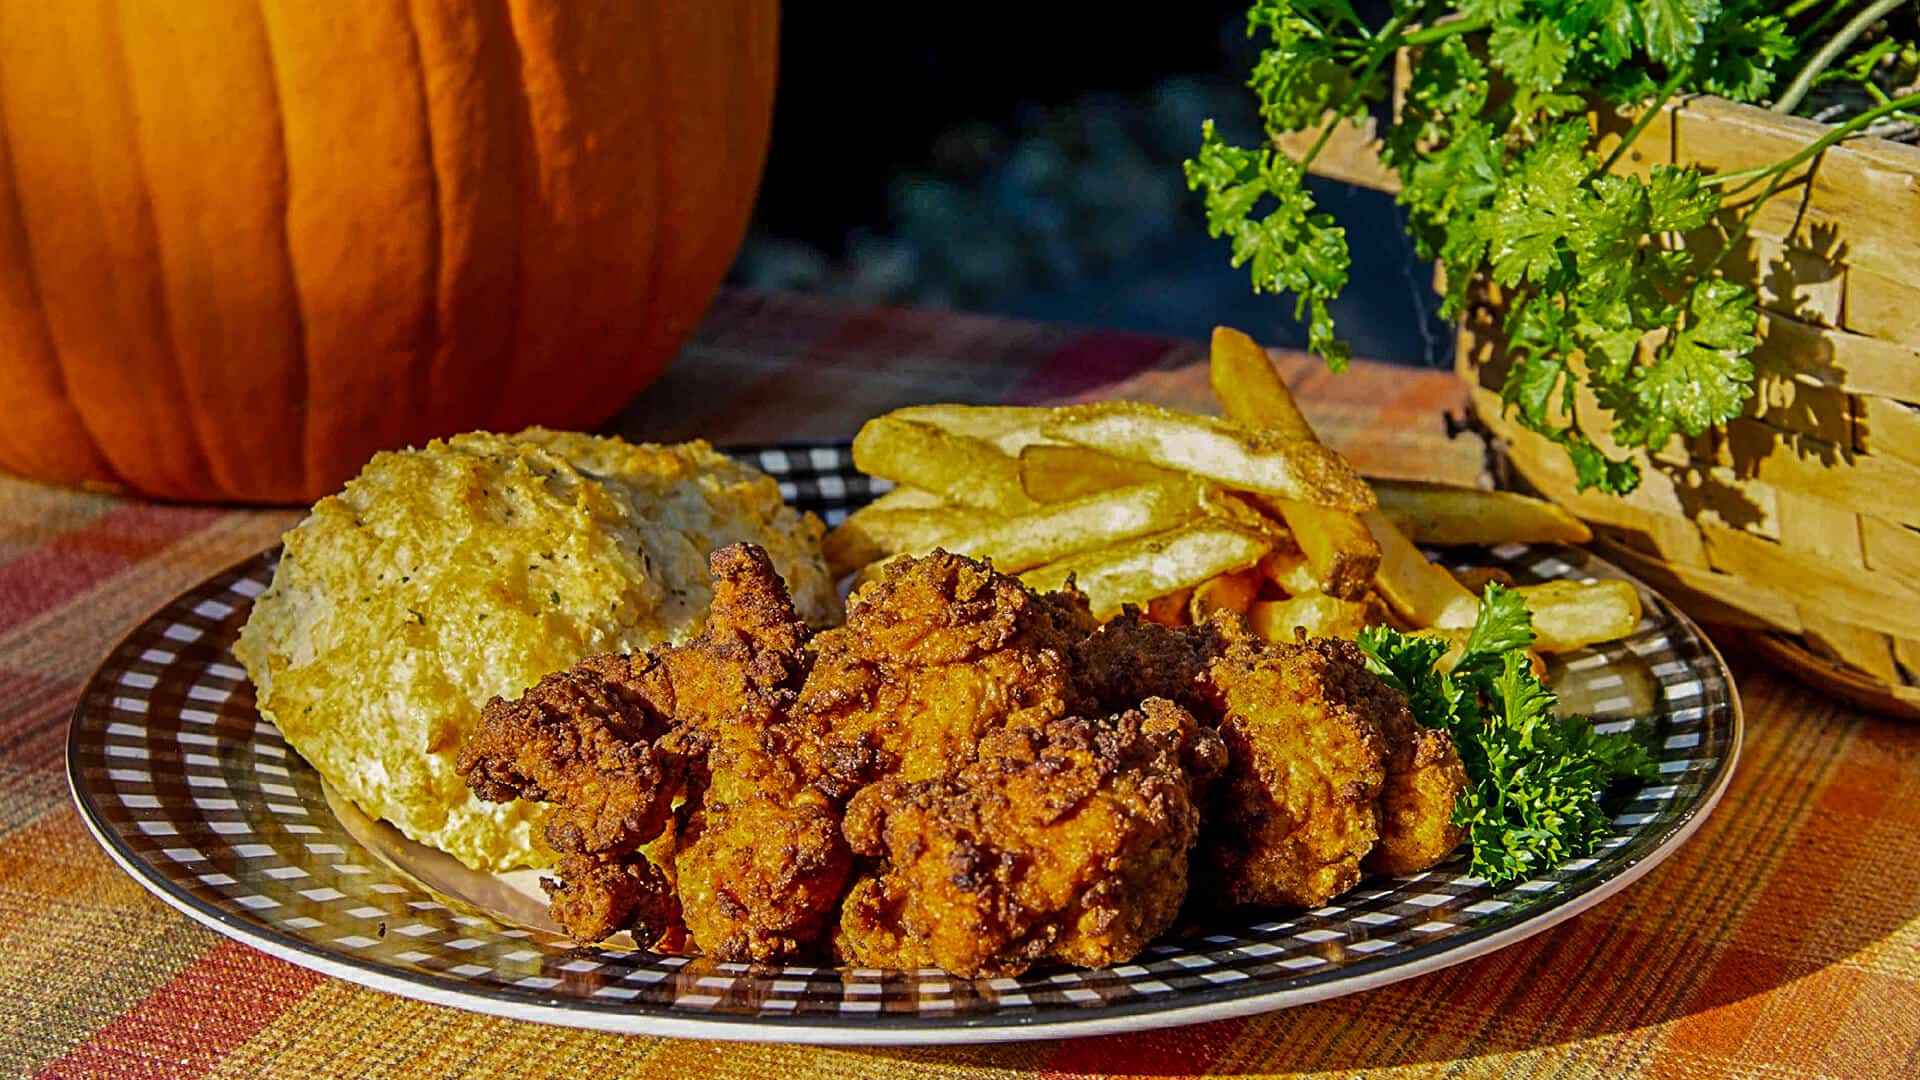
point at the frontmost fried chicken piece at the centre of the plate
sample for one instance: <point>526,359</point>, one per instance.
<point>1065,841</point>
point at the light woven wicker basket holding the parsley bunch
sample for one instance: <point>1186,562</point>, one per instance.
<point>1802,520</point>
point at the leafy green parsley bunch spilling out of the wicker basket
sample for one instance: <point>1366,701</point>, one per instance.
<point>1502,182</point>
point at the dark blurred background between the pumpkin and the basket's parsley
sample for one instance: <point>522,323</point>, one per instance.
<point>1026,160</point>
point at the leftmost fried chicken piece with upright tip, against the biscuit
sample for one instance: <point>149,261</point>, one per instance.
<point>757,864</point>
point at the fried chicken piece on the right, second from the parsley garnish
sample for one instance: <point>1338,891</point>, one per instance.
<point>1299,808</point>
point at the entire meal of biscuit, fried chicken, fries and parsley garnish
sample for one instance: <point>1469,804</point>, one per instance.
<point>1093,660</point>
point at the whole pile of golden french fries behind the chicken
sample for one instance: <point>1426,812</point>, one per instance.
<point>1186,516</point>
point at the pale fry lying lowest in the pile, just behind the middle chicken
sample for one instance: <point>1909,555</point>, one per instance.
<point>1153,566</point>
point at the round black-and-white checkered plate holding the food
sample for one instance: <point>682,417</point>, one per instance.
<point>197,797</point>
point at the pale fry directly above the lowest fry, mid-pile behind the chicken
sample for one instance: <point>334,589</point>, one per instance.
<point>1057,531</point>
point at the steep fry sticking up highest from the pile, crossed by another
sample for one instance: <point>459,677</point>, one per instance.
<point>1335,541</point>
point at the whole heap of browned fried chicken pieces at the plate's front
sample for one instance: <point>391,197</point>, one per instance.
<point>967,773</point>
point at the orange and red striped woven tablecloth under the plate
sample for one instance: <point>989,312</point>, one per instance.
<point>1783,941</point>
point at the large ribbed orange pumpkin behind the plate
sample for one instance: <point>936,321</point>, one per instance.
<point>249,243</point>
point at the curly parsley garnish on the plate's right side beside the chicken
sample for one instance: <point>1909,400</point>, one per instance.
<point>1537,779</point>
